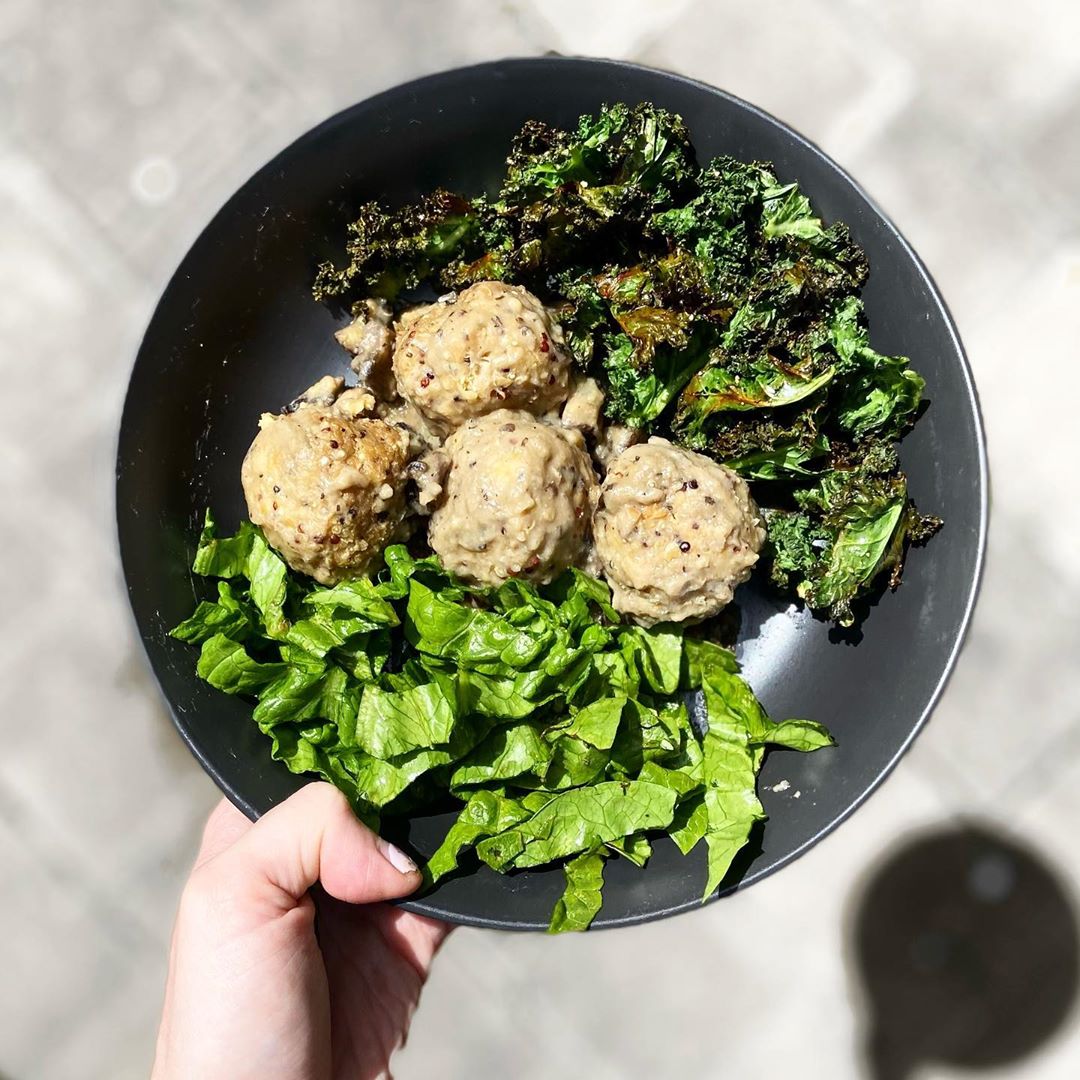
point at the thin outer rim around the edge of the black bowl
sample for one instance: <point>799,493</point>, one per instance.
<point>433,910</point>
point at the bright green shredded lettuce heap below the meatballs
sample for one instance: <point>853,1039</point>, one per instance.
<point>561,733</point>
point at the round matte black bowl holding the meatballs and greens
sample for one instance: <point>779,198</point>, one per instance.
<point>238,333</point>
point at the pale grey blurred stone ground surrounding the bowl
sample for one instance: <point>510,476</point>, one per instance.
<point>126,124</point>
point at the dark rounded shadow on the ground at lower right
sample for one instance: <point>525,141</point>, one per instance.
<point>966,947</point>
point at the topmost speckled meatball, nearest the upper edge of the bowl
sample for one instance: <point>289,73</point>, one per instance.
<point>493,347</point>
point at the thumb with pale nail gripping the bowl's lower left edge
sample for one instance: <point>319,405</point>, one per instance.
<point>315,838</point>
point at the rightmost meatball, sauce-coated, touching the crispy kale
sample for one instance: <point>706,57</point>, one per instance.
<point>676,533</point>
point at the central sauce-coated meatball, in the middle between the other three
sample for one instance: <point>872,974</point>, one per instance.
<point>518,501</point>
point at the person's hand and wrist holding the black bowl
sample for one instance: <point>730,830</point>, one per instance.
<point>272,981</point>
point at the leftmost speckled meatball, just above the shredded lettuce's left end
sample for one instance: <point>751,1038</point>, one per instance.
<point>327,489</point>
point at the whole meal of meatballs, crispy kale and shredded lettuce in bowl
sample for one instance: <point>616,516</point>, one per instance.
<point>680,334</point>
